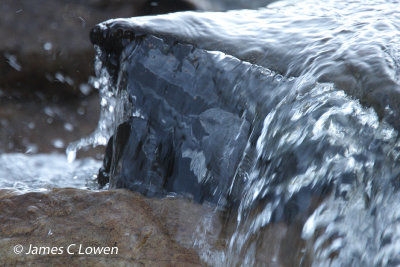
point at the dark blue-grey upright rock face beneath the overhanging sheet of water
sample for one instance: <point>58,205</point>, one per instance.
<point>193,127</point>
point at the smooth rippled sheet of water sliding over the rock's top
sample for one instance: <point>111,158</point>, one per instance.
<point>297,48</point>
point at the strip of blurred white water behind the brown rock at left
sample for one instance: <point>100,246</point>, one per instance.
<point>24,173</point>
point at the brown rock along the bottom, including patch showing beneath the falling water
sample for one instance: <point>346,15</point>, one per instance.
<point>147,232</point>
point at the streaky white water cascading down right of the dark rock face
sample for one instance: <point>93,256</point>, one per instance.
<point>337,142</point>
